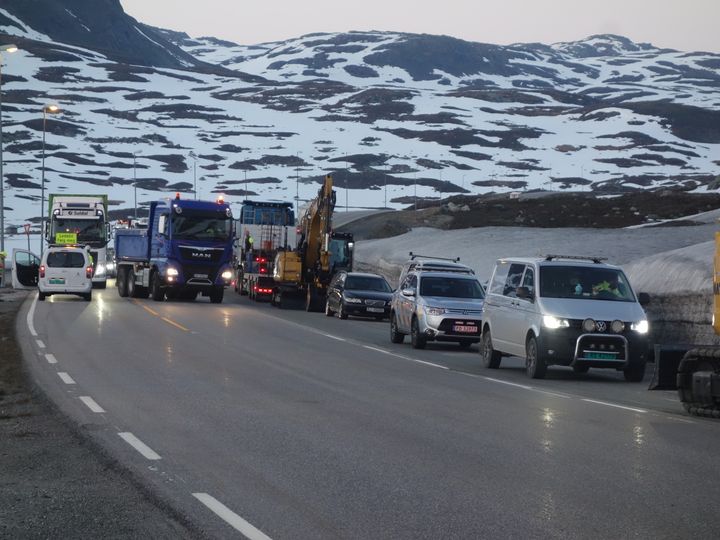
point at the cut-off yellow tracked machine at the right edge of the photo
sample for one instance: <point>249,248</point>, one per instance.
<point>698,376</point>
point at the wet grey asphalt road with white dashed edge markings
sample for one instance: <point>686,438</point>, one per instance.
<point>254,420</point>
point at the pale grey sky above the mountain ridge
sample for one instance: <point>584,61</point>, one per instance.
<point>688,25</point>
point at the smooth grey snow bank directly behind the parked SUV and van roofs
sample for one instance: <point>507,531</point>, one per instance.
<point>641,251</point>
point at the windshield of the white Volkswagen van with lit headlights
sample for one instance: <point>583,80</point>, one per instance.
<point>584,282</point>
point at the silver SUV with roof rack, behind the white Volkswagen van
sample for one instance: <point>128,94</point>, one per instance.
<point>437,305</point>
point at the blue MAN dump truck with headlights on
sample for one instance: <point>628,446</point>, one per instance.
<point>187,249</point>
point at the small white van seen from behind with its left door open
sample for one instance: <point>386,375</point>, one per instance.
<point>62,270</point>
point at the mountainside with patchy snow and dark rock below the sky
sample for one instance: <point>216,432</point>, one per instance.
<point>393,116</point>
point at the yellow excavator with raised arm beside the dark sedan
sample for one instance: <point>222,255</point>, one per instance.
<point>305,273</point>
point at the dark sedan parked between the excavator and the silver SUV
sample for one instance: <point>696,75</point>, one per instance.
<point>358,294</point>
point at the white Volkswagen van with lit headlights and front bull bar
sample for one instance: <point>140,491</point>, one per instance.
<point>564,310</point>
